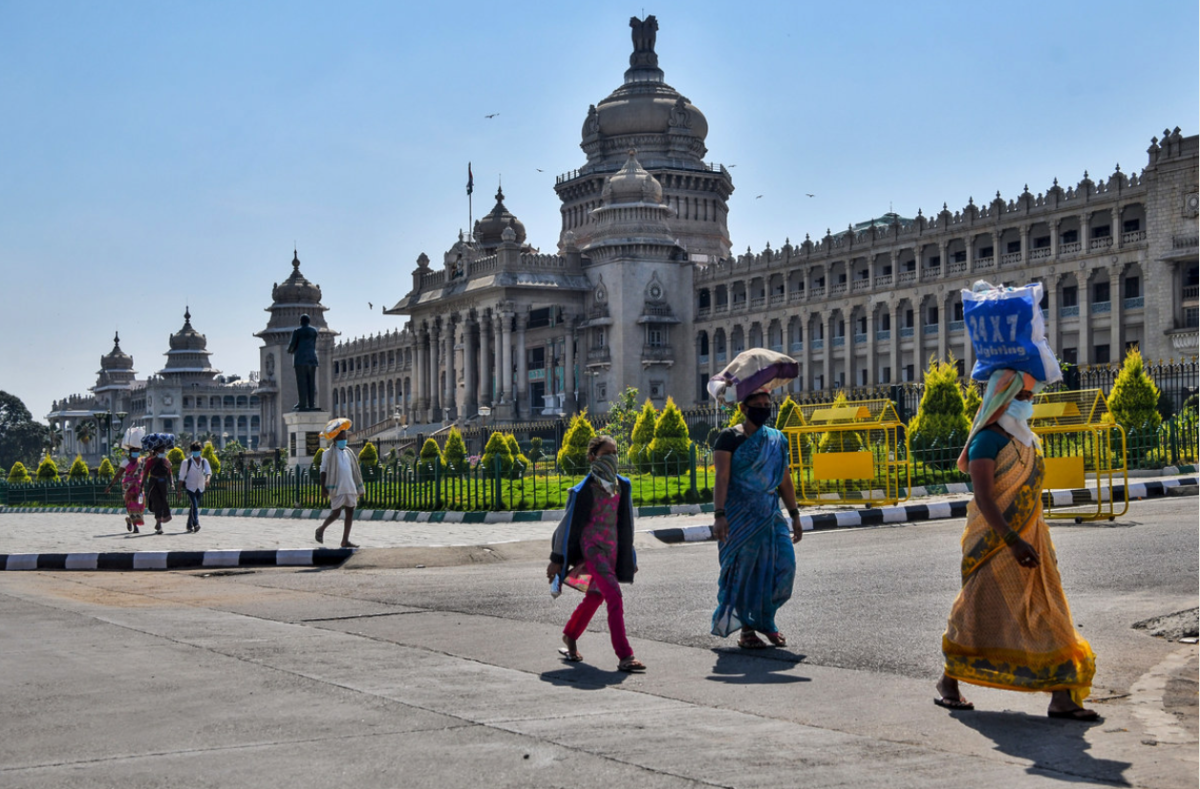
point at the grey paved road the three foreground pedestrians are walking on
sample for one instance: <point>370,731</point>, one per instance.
<point>447,677</point>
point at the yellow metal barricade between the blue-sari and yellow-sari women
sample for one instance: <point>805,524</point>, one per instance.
<point>848,453</point>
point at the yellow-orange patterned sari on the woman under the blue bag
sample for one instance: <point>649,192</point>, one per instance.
<point>1011,627</point>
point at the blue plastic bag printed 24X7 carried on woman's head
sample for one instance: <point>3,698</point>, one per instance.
<point>1009,332</point>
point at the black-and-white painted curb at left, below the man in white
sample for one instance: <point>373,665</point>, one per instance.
<point>178,559</point>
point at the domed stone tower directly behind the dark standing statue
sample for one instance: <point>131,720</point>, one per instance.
<point>277,384</point>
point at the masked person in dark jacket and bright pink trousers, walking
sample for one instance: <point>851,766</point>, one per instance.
<point>592,551</point>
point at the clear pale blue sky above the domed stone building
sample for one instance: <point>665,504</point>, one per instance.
<point>164,155</point>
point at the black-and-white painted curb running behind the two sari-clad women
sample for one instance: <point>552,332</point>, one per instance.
<point>941,511</point>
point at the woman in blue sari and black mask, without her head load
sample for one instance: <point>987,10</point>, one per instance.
<point>758,558</point>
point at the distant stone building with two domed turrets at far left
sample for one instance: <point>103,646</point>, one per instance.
<point>188,396</point>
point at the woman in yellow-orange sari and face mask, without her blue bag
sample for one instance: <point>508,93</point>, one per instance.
<point>1011,627</point>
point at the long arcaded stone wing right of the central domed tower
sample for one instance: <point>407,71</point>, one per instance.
<point>871,305</point>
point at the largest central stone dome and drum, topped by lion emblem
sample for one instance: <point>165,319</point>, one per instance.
<point>669,134</point>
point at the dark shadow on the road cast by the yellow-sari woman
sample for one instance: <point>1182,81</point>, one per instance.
<point>1057,749</point>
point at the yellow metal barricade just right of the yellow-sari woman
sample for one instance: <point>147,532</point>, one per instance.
<point>1082,444</point>
